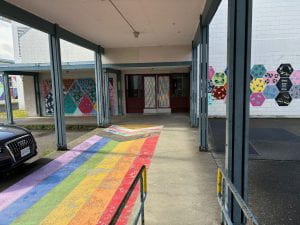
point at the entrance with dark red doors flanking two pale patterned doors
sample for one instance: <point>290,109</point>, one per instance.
<point>162,93</point>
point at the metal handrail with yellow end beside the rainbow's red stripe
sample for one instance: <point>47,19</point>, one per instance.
<point>142,177</point>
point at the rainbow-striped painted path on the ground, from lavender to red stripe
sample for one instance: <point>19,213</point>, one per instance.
<point>81,187</point>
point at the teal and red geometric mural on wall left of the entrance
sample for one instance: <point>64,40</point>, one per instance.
<point>79,96</point>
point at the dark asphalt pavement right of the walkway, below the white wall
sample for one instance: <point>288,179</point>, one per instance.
<point>274,167</point>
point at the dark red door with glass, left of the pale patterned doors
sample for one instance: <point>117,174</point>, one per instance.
<point>134,94</point>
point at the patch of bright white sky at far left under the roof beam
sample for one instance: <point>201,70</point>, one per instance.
<point>6,41</point>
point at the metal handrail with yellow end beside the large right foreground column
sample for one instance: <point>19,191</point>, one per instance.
<point>221,177</point>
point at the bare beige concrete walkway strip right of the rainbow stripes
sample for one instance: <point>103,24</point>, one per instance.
<point>182,180</point>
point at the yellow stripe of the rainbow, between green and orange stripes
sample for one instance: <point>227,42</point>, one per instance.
<point>73,202</point>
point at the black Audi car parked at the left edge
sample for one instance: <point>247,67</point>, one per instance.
<point>16,146</point>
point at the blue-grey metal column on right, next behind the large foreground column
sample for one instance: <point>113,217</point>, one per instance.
<point>203,103</point>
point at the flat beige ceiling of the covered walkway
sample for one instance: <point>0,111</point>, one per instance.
<point>160,22</point>
